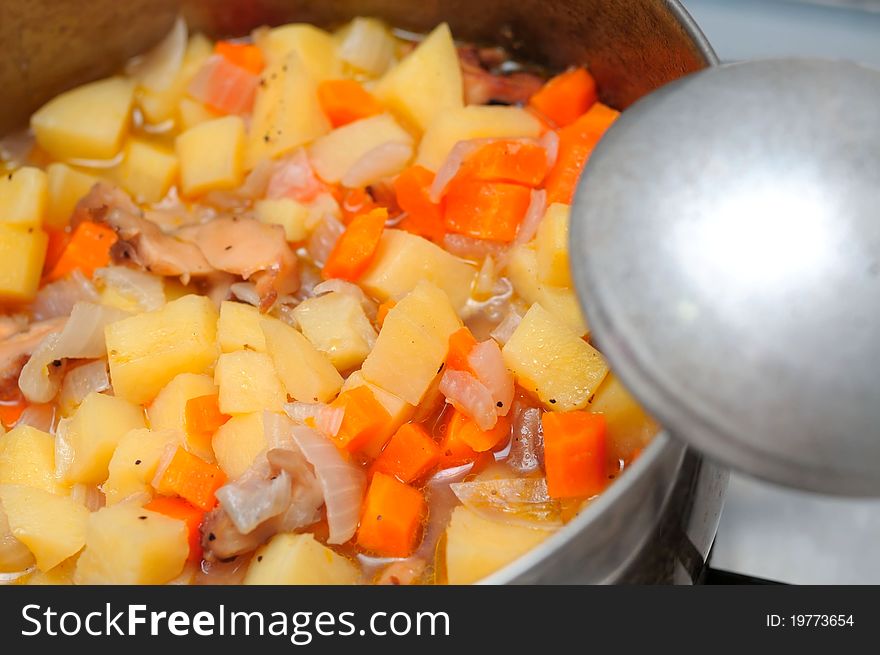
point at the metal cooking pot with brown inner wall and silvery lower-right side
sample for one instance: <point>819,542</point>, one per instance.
<point>656,523</point>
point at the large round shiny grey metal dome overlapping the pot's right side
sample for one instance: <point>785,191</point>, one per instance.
<point>727,248</point>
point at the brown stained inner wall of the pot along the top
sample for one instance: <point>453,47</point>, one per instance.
<point>631,46</point>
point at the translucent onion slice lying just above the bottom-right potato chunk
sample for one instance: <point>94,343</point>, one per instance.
<point>516,501</point>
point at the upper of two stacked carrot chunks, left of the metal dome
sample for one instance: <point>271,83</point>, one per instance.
<point>516,162</point>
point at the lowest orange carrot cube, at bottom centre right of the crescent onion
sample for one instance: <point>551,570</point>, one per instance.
<point>391,523</point>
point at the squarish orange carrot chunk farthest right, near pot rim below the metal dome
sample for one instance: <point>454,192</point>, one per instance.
<point>574,453</point>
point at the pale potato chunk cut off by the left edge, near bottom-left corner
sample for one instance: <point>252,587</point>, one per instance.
<point>52,527</point>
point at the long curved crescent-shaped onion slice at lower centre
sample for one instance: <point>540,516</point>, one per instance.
<point>342,482</point>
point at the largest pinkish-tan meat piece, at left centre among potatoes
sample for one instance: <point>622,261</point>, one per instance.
<point>252,250</point>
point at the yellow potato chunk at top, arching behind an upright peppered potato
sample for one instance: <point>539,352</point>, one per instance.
<point>315,47</point>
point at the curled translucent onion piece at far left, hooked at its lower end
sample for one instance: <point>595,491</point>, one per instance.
<point>81,338</point>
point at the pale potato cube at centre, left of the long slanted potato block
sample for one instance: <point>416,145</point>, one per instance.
<point>336,325</point>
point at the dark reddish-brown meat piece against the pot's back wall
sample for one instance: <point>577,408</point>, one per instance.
<point>483,85</point>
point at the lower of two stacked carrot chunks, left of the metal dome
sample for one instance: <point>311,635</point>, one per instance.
<point>485,210</point>
